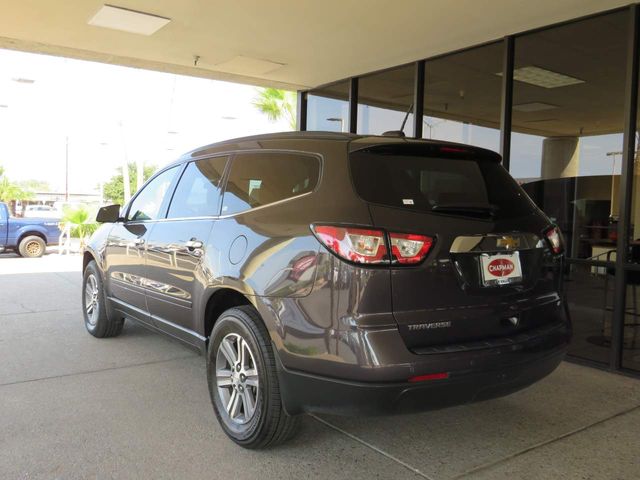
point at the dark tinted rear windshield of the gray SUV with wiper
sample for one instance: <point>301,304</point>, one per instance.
<point>452,186</point>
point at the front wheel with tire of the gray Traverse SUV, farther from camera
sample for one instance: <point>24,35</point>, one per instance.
<point>96,318</point>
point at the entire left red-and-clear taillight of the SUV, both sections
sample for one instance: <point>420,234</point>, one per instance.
<point>370,246</point>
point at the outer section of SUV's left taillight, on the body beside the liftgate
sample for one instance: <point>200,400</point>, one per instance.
<point>354,244</point>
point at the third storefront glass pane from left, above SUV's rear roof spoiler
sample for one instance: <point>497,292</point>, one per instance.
<point>462,97</point>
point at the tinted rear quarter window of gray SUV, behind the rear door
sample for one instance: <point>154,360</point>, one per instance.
<point>258,179</point>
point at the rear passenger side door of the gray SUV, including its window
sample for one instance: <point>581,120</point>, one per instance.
<point>177,248</point>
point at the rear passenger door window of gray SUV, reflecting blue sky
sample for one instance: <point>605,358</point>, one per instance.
<point>198,192</point>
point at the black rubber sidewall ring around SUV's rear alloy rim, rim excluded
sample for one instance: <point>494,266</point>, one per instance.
<point>235,321</point>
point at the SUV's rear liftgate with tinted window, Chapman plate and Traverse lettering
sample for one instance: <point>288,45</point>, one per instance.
<point>487,265</point>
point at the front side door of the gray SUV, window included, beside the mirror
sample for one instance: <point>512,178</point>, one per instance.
<point>125,253</point>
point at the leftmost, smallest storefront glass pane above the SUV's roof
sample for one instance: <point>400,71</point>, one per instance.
<point>328,108</point>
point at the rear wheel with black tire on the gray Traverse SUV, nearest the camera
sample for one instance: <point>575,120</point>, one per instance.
<point>243,385</point>
